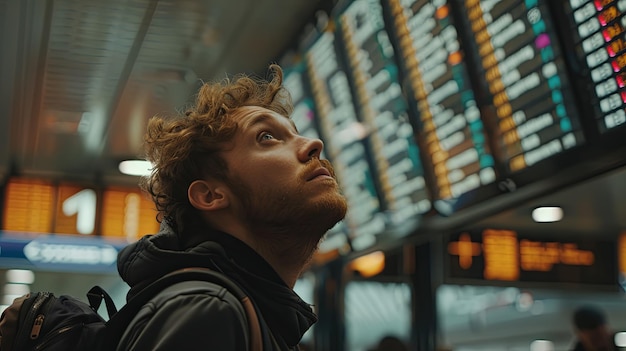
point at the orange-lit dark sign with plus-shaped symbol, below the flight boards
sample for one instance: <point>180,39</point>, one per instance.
<point>505,255</point>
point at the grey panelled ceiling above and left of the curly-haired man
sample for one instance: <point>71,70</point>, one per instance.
<point>81,78</point>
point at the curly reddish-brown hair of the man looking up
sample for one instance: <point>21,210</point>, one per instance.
<point>187,148</point>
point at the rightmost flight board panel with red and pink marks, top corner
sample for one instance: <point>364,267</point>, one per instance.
<point>599,29</point>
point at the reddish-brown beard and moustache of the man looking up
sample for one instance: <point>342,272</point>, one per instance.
<point>292,210</point>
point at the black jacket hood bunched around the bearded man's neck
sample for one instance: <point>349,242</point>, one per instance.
<point>153,256</point>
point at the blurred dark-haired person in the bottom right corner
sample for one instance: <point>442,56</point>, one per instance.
<point>592,330</point>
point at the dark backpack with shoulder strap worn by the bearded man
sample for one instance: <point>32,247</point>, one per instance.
<point>43,321</point>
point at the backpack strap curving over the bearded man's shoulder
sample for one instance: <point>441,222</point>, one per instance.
<point>116,325</point>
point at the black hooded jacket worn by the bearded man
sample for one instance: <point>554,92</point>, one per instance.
<point>178,320</point>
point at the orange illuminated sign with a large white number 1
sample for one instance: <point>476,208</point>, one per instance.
<point>37,206</point>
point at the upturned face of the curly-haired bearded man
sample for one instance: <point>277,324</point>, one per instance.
<point>277,176</point>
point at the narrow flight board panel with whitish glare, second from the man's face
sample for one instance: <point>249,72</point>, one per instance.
<point>344,136</point>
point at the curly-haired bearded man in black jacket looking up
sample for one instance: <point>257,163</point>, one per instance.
<point>239,191</point>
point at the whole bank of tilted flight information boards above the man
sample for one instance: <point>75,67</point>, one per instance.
<point>443,104</point>
